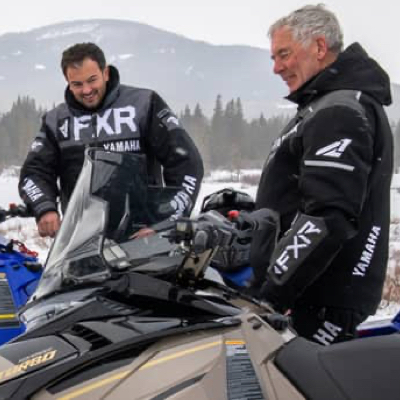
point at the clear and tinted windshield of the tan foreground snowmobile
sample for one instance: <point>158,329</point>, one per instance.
<point>111,204</point>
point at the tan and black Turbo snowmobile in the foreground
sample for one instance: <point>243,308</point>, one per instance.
<point>117,315</point>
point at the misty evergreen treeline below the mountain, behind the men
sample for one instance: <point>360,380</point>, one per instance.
<point>226,140</point>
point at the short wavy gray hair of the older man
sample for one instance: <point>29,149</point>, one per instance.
<point>310,21</point>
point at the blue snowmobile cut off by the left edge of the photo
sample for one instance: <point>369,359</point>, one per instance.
<point>20,272</point>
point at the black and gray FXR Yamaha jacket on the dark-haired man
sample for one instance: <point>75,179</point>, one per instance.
<point>128,119</point>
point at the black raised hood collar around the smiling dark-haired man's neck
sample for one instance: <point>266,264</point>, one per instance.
<point>111,94</point>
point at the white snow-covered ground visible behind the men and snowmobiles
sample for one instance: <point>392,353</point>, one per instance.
<point>25,229</point>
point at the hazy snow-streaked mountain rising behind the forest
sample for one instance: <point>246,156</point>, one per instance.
<point>182,70</point>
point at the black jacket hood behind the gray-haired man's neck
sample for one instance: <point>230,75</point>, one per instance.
<point>352,70</point>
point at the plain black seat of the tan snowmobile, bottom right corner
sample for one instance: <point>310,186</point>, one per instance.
<point>362,369</point>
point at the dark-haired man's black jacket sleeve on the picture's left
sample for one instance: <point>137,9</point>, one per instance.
<point>39,173</point>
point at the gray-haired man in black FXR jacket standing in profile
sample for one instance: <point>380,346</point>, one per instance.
<point>328,176</point>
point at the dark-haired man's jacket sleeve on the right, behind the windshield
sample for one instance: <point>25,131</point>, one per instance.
<point>177,153</point>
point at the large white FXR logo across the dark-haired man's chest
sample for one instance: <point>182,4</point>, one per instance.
<point>110,123</point>
